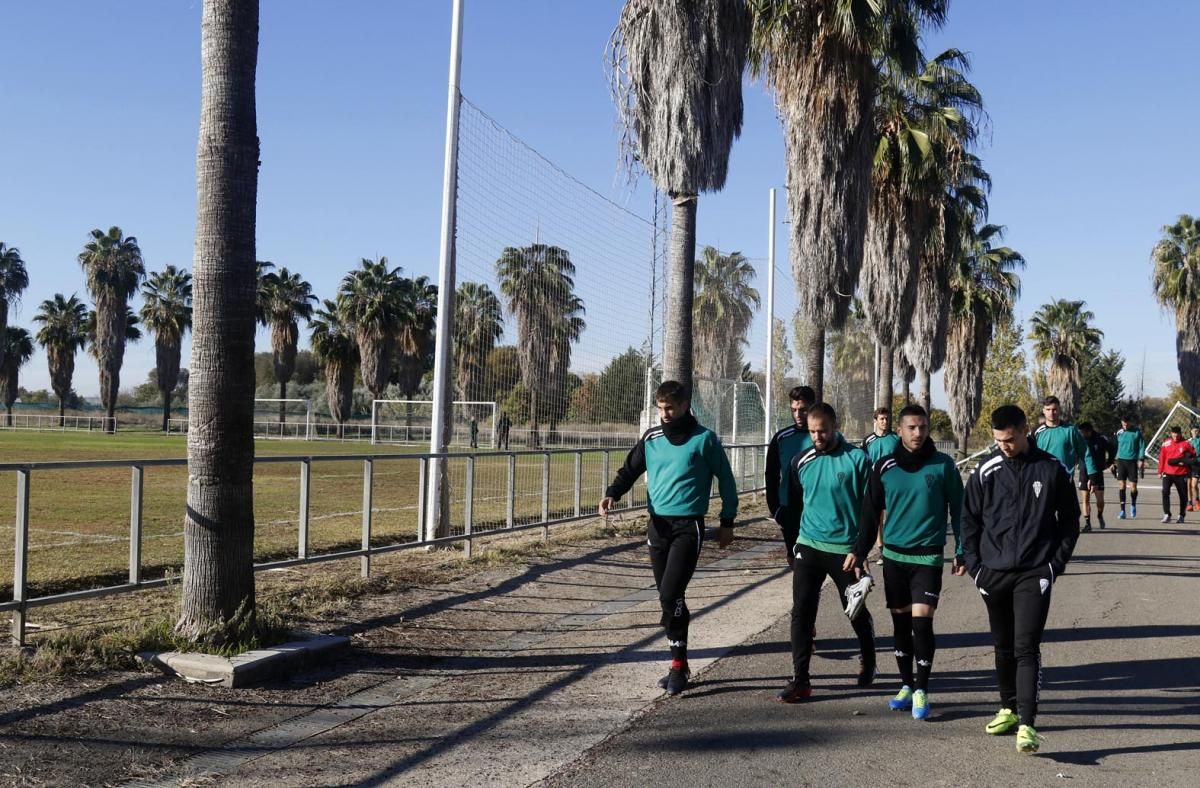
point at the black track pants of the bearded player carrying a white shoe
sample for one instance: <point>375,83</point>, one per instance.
<point>809,573</point>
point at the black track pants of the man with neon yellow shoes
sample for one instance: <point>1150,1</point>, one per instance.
<point>1018,604</point>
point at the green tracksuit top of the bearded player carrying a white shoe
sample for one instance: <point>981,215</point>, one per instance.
<point>825,497</point>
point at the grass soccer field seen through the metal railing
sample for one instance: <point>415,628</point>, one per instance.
<point>80,519</point>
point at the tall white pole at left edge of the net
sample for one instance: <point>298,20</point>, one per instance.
<point>446,280</point>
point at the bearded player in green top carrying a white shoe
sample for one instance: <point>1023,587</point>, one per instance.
<point>825,501</point>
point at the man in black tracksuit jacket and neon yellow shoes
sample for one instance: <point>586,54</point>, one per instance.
<point>1021,524</point>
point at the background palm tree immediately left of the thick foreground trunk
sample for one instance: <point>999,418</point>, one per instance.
<point>167,315</point>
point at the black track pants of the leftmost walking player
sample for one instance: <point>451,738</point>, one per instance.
<point>675,549</point>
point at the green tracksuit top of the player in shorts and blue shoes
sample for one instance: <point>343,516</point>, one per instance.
<point>920,491</point>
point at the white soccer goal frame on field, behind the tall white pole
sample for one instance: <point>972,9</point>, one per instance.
<point>410,422</point>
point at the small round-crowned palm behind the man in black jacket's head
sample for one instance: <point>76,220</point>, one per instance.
<point>1064,338</point>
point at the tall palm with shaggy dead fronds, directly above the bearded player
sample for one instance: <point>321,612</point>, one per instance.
<point>819,58</point>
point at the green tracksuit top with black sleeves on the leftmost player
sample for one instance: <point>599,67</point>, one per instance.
<point>680,461</point>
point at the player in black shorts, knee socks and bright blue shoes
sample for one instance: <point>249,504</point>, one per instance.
<point>921,490</point>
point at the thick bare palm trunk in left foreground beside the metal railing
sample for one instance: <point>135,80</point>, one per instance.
<point>219,528</point>
